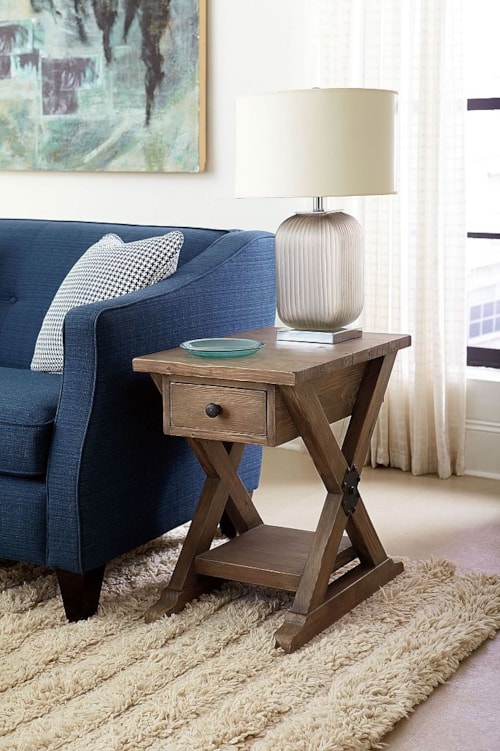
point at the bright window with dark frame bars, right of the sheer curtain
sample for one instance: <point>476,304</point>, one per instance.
<point>483,182</point>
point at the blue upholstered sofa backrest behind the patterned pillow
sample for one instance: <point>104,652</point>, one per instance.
<point>36,255</point>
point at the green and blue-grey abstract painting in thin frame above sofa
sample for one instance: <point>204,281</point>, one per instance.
<point>102,85</point>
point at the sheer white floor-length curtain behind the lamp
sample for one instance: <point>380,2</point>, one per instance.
<point>415,241</point>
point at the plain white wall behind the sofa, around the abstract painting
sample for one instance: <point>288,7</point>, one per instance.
<point>253,45</point>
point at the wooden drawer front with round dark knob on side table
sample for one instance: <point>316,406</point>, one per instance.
<point>242,411</point>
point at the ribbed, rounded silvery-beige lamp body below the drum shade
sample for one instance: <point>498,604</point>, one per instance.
<point>319,266</point>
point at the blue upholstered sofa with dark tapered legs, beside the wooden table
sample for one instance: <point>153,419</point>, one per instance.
<point>86,473</point>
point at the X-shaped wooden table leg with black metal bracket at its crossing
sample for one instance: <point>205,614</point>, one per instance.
<point>319,603</point>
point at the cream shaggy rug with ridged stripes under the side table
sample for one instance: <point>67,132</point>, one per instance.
<point>210,677</point>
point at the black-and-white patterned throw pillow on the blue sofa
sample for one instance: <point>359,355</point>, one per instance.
<point>109,268</point>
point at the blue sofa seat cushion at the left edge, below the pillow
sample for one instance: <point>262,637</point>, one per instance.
<point>28,404</point>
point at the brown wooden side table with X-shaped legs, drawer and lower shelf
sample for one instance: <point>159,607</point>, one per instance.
<point>285,390</point>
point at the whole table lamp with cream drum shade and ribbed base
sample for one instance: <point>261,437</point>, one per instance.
<point>317,143</point>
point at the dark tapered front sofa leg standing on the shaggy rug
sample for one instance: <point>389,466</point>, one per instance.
<point>80,592</point>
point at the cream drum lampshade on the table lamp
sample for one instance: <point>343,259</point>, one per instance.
<point>315,142</point>
